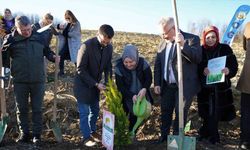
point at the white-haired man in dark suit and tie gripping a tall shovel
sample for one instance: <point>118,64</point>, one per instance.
<point>166,75</point>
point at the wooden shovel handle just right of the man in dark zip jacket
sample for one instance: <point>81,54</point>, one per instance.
<point>55,83</point>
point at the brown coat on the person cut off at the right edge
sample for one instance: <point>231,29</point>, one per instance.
<point>244,80</point>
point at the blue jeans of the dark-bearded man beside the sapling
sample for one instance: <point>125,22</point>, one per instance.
<point>88,117</point>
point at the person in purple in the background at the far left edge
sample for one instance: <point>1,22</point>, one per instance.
<point>8,21</point>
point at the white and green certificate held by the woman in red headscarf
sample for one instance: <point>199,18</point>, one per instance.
<point>215,66</point>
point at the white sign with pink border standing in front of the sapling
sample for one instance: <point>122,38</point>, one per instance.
<point>108,127</point>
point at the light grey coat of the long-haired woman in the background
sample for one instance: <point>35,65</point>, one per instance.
<point>74,40</point>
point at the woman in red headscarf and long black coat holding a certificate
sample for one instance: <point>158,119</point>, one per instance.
<point>215,101</point>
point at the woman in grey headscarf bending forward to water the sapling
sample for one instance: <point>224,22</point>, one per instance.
<point>133,79</point>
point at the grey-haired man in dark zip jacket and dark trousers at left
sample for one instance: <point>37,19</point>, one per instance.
<point>26,50</point>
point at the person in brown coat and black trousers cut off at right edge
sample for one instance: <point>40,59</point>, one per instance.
<point>244,87</point>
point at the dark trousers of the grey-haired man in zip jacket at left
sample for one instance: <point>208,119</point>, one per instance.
<point>22,93</point>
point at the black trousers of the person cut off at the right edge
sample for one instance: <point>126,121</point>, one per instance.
<point>245,118</point>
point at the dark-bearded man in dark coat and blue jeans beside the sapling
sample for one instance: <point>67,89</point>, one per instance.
<point>93,59</point>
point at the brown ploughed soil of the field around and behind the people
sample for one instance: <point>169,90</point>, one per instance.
<point>148,133</point>
